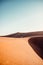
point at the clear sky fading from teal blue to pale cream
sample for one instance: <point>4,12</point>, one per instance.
<point>21,16</point>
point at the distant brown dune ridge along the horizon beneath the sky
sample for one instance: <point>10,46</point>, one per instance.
<point>21,35</point>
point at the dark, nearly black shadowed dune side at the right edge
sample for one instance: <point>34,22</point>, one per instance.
<point>37,45</point>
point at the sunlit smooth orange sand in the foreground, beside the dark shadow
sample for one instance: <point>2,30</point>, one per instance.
<point>17,51</point>
